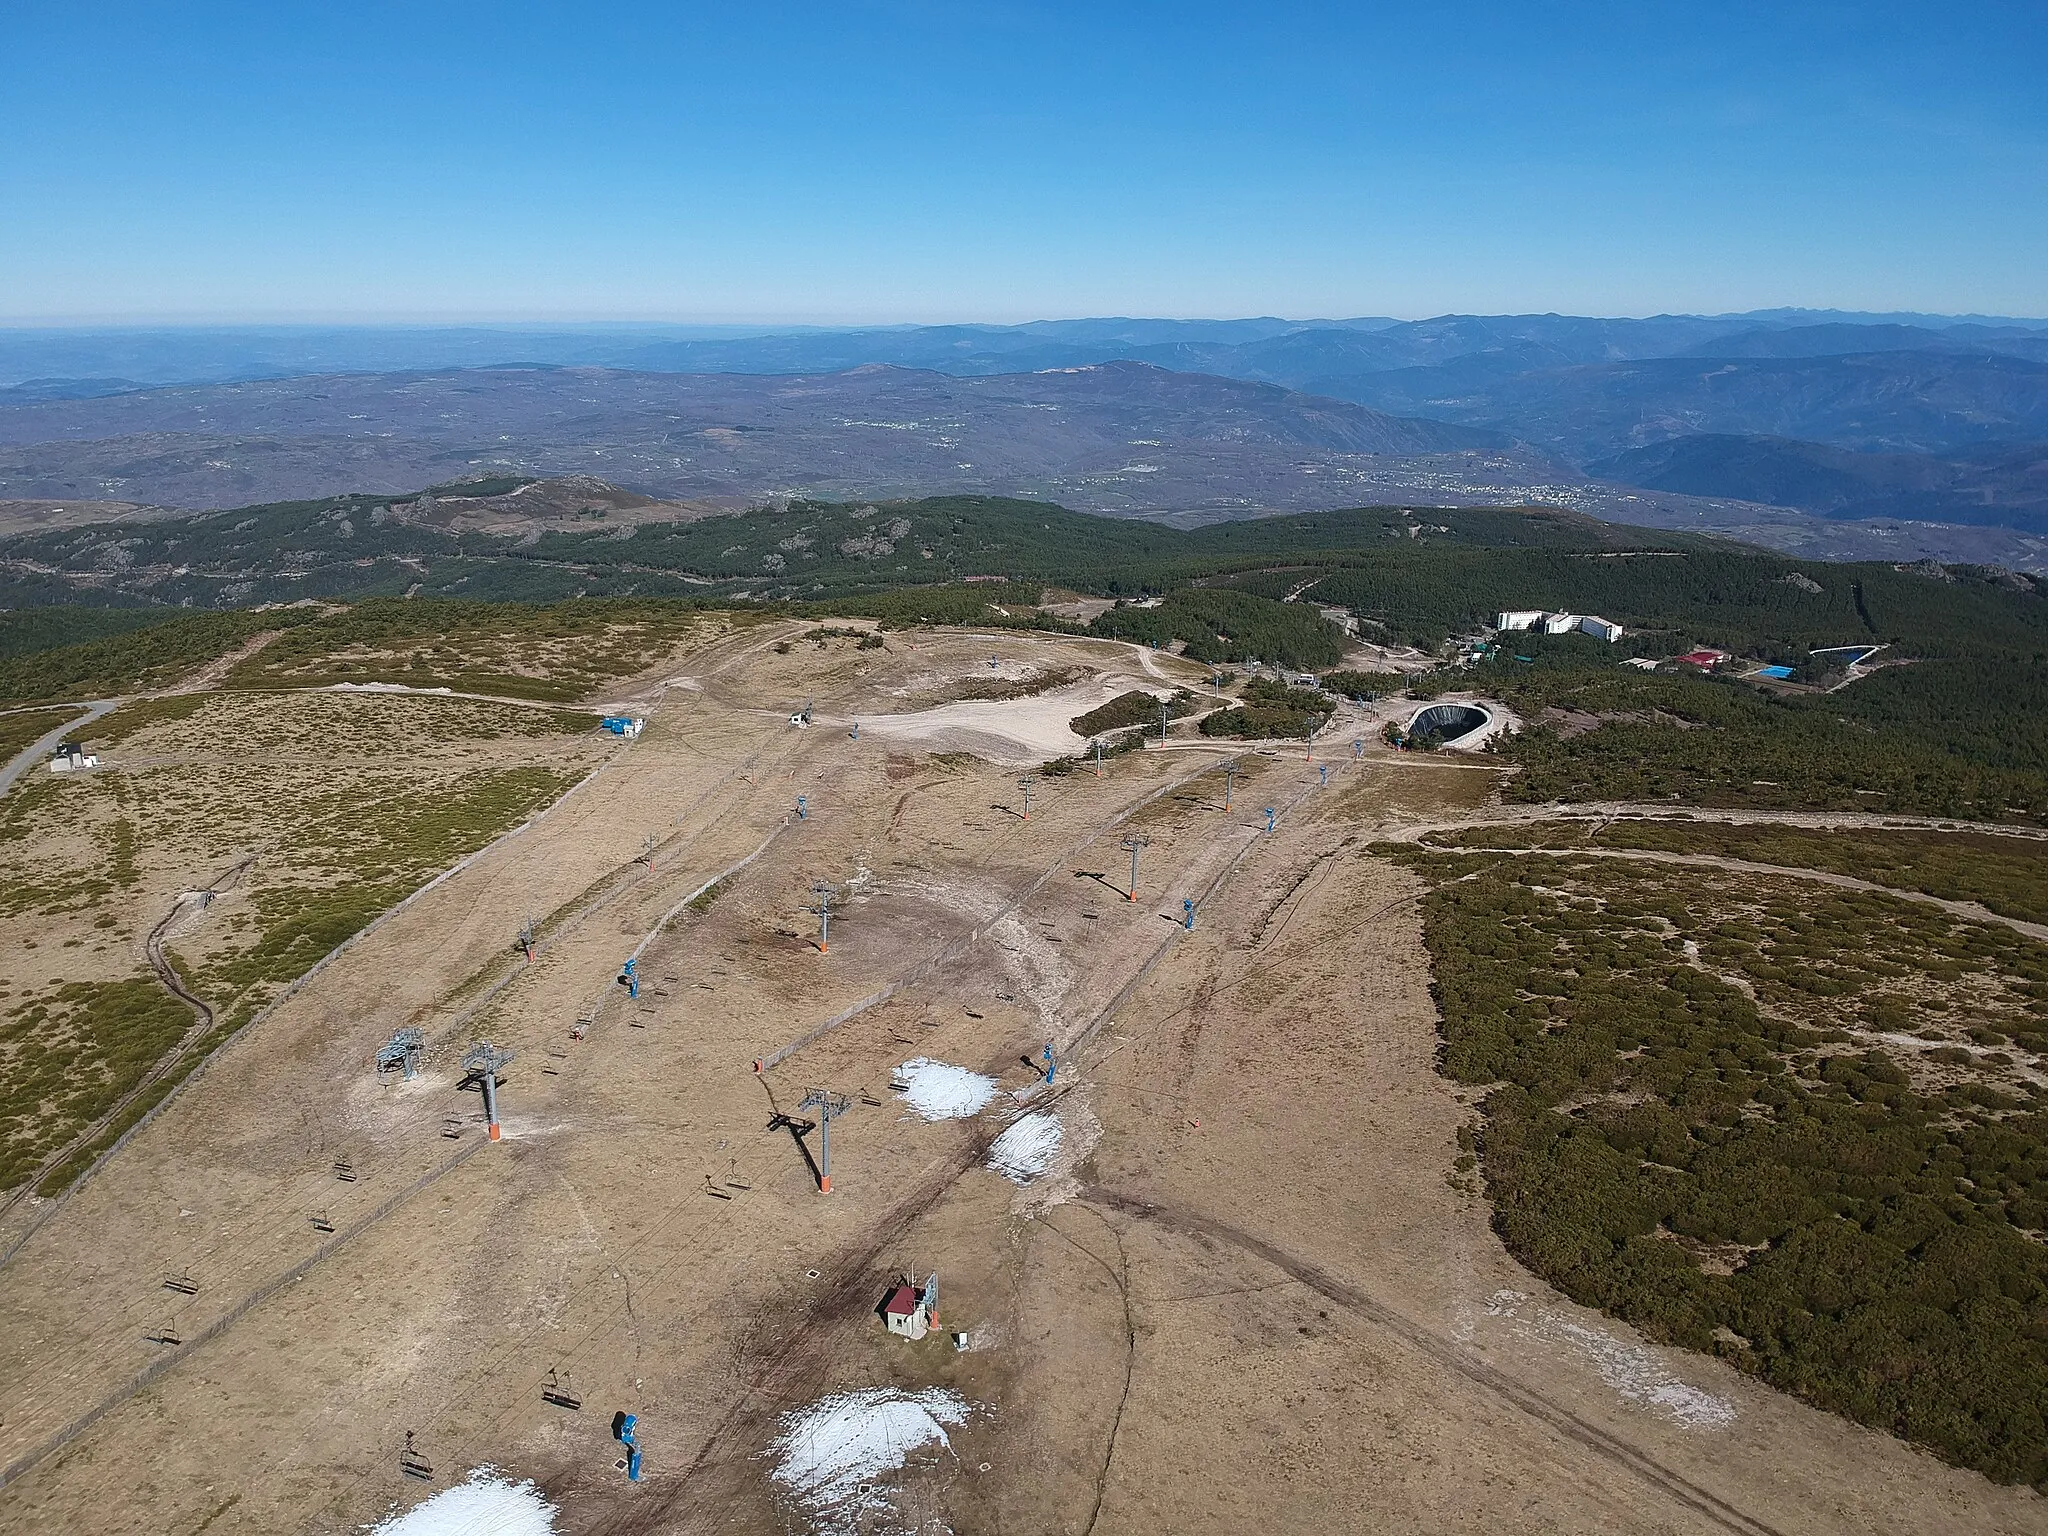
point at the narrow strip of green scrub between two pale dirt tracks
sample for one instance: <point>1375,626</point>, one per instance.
<point>2006,876</point>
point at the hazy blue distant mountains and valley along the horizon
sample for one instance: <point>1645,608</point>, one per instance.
<point>1680,421</point>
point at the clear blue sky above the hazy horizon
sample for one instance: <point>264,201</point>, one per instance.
<point>962,161</point>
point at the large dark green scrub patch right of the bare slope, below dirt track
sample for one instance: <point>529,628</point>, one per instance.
<point>1768,1119</point>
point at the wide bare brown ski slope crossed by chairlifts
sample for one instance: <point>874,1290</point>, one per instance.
<point>1258,1306</point>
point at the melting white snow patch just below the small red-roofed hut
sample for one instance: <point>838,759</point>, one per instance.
<point>828,1453</point>
